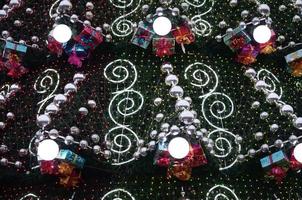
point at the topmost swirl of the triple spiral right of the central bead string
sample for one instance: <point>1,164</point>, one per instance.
<point>202,76</point>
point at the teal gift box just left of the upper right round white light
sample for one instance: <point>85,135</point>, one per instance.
<point>237,32</point>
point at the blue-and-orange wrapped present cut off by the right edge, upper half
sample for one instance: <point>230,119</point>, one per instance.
<point>294,61</point>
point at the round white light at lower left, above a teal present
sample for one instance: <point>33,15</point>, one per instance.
<point>48,150</point>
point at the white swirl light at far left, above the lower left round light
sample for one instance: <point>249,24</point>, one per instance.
<point>47,84</point>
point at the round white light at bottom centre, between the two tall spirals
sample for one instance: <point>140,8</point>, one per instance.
<point>179,147</point>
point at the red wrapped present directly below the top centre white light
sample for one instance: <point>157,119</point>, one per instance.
<point>164,46</point>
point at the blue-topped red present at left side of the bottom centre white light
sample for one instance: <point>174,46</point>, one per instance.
<point>162,157</point>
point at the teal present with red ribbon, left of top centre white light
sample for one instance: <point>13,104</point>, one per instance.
<point>143,36</point>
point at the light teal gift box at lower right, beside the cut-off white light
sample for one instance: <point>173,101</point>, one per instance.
<point>277,158</point>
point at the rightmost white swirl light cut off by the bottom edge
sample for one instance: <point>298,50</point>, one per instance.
<point>221,192</point>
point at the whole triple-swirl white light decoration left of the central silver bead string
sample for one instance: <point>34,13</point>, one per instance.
<point>126,102</point>
